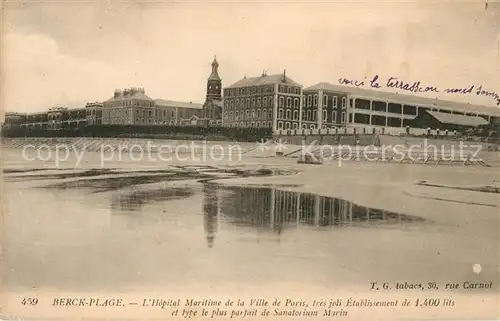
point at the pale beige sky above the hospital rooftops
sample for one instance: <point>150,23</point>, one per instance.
<point>67,53</point>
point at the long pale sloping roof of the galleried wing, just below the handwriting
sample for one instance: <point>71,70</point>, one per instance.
<point>407,99</point>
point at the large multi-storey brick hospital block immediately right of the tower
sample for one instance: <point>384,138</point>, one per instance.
<point>270,101</point>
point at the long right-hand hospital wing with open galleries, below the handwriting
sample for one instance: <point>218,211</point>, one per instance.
<point>358,107</point>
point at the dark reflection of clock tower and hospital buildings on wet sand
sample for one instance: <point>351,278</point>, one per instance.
<point>276,210</point>
